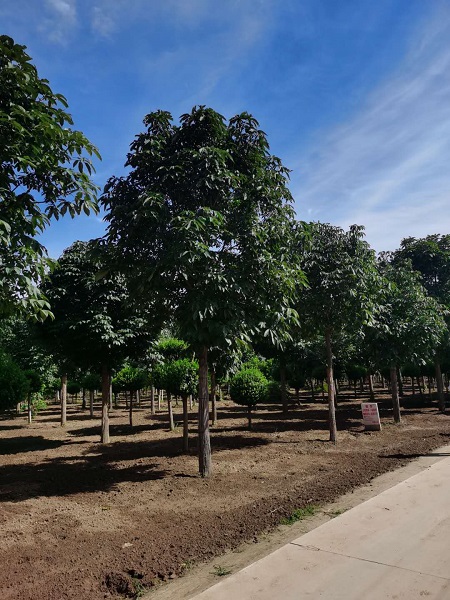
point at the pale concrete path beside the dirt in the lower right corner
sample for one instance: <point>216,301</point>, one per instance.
<point>394,546</point>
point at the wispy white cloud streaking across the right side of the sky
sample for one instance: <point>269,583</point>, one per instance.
<point>387,167</point>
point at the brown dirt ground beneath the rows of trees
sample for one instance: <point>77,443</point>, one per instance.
<point>86,521</point>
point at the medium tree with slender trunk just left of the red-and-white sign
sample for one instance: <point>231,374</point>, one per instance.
<point>341,272</point>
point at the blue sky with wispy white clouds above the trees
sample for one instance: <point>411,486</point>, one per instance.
<point>353,94</point>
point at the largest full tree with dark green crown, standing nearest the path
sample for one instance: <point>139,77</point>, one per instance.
<point>204,220</point>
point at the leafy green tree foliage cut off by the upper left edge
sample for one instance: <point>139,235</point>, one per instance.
<point>45,169</point>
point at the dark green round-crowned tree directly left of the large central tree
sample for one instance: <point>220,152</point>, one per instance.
<point>95,325</point>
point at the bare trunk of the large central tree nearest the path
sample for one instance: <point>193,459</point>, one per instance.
<point>204,442</point>
